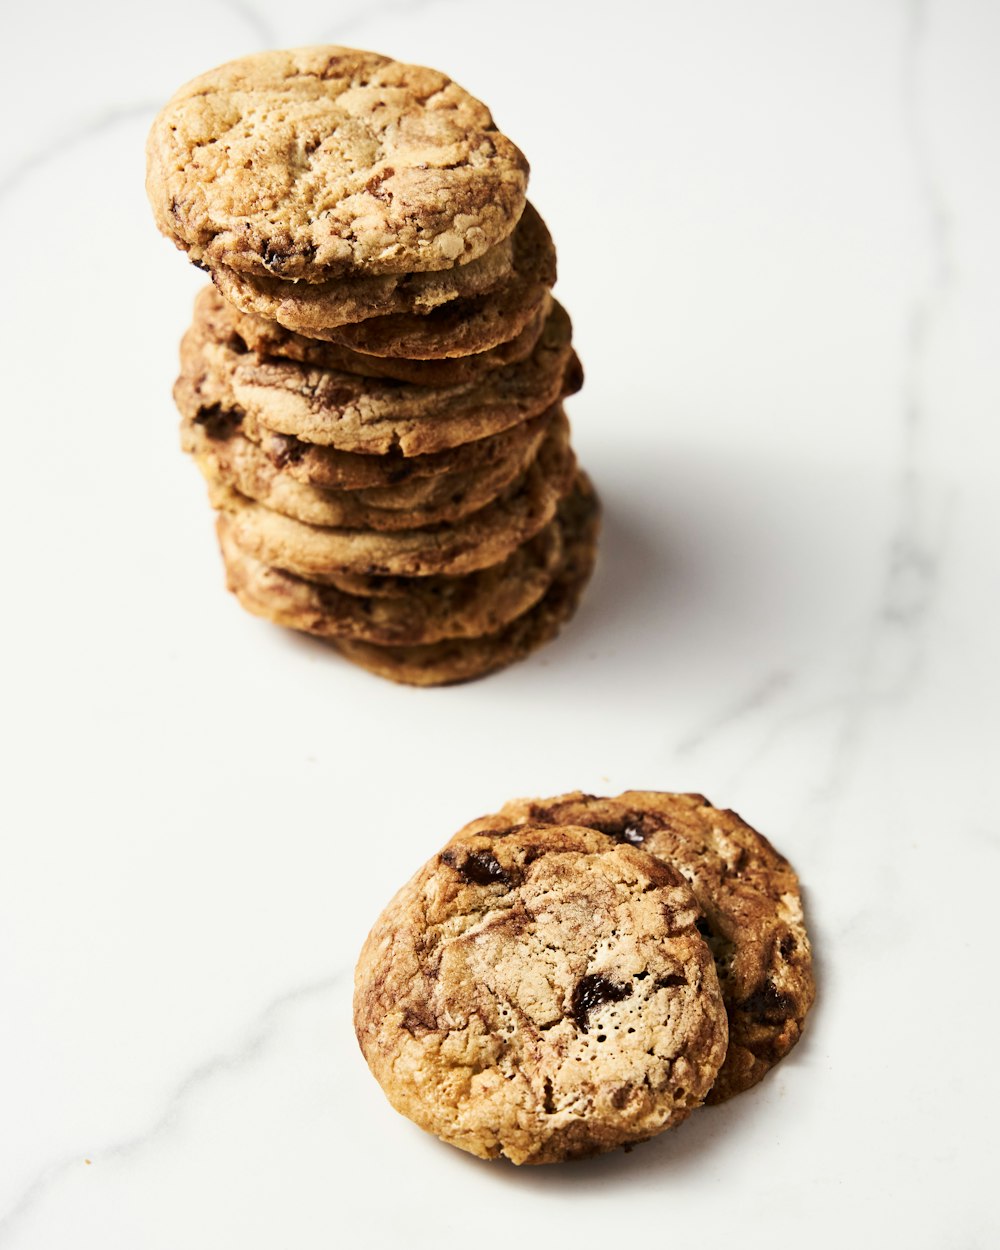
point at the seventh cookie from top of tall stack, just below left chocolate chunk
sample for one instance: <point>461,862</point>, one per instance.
<point>242,464</point>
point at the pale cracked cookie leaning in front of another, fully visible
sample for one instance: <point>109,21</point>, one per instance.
<point>542,997</point>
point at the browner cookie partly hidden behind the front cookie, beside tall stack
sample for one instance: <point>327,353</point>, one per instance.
<point>751,903</point>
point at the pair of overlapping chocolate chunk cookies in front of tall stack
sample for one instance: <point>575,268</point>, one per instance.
<point>577,974</point>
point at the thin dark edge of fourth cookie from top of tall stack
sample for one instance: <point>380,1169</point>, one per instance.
<point>271,339</point>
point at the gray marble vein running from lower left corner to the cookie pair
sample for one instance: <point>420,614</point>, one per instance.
<point>262,1033</point>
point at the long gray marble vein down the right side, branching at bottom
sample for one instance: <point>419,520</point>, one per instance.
<point>889,657</point>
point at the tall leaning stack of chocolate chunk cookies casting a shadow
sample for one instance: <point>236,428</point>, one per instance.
<point>373,386</point>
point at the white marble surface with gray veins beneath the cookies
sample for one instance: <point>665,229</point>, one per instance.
<point>778,239</point>
